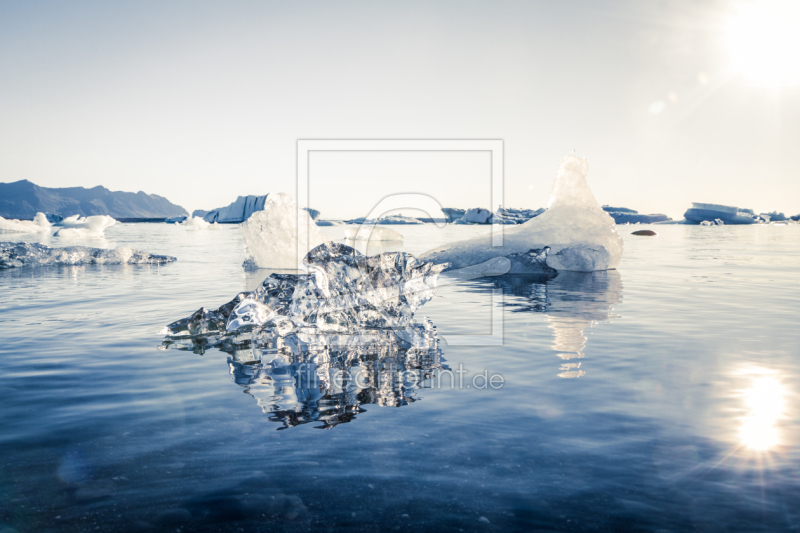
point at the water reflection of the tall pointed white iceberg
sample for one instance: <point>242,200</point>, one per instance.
<point>572,302</point>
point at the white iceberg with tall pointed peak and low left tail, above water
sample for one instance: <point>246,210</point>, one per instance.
<point>575,234</point>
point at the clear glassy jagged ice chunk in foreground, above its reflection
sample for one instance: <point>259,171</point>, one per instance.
<point>342,293</point>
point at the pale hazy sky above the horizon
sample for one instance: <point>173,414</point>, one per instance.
<point>672,102</point>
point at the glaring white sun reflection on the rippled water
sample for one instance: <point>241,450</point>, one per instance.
<point>765,406</point>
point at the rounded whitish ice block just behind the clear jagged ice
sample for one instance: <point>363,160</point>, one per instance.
<point>271,236</point>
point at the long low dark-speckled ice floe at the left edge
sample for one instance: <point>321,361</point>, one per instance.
<point>22,254</point>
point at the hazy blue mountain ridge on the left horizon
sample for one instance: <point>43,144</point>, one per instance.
<point>23,199</point>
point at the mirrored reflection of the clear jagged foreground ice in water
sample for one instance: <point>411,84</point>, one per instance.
<point>329,382</point>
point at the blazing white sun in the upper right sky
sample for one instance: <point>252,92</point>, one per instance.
<point>763,39</point>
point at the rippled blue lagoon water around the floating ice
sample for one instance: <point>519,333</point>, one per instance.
<point>661,397</point>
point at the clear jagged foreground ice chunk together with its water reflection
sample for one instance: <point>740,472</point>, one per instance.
<point>340,336</point>
